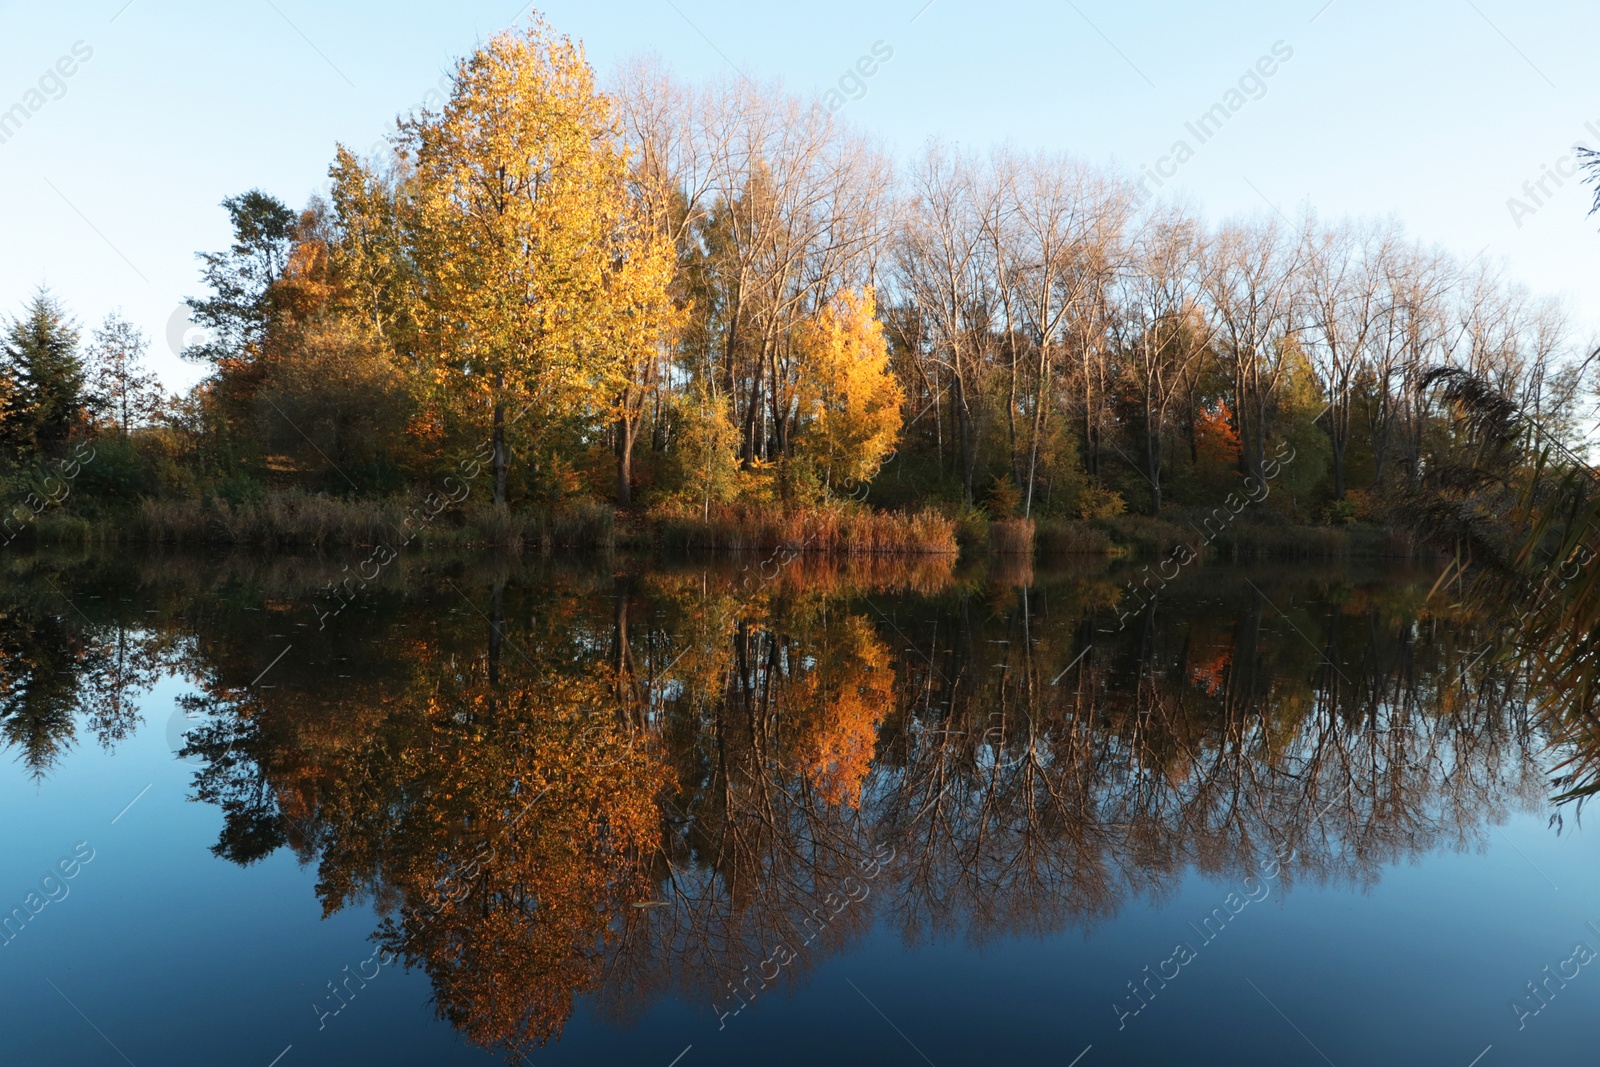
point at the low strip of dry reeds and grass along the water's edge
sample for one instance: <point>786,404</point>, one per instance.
<point>302,522</point>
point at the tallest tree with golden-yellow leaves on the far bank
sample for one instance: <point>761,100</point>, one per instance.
<point>538,279</point>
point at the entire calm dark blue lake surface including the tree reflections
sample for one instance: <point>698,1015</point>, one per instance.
<point>630,813</point>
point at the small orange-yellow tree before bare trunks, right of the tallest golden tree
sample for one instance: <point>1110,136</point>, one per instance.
<point>849,398</point>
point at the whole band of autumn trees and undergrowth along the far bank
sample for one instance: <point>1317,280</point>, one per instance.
<point>569,311</point>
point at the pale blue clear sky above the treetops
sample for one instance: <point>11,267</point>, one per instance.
<point>142,118</point>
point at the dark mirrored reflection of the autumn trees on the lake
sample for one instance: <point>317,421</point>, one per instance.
<point>626,783</point>
